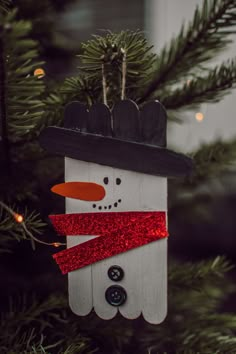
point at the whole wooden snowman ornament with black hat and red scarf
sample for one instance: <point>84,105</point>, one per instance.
<point>116,169</point>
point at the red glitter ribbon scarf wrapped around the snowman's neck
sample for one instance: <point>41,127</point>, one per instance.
<point>119,231</point>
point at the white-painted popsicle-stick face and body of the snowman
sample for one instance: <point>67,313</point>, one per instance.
<point>145,268</point>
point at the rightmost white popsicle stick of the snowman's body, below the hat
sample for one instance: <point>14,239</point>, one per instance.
<point>154,255</point>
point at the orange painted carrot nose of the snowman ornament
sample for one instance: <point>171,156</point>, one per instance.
<point>80,190</point>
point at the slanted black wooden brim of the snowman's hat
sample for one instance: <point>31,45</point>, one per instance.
<point>109,151</point>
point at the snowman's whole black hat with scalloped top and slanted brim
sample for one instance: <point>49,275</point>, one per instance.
<point>125,138</point>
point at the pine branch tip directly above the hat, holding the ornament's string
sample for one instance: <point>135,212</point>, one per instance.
<point>107,50</point>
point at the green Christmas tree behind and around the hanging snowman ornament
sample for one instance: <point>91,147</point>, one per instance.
<point>35,317</point>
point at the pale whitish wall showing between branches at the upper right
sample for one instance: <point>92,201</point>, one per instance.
<point>163,19</point>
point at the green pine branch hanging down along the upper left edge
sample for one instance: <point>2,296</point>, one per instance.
<point>23,89</point>
